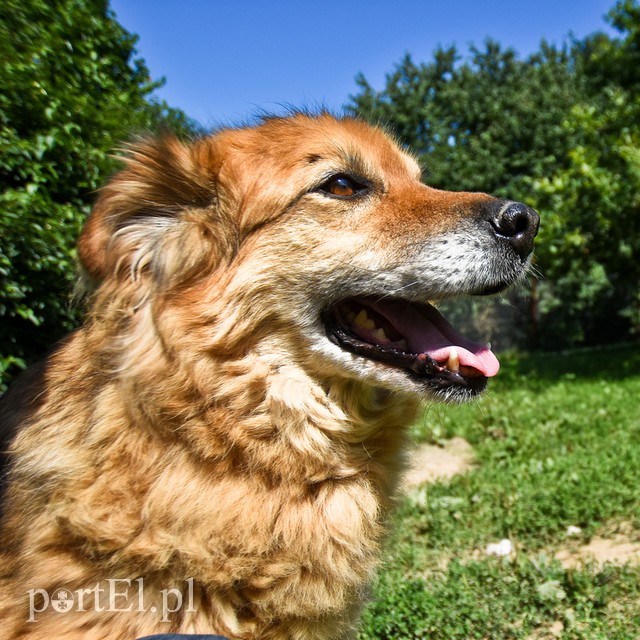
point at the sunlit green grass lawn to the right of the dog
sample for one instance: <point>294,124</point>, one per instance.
<point>557,443</point>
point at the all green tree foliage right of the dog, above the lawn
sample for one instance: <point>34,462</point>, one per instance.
<point>559,131</point>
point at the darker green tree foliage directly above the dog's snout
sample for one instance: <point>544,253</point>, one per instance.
<point>492,119</point>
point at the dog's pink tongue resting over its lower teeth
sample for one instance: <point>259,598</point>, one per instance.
<point>427,331</point>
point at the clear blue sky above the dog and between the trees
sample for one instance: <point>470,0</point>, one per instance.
<point>225,60</point>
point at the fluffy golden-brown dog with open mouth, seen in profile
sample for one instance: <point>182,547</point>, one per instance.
<point>218,447</point>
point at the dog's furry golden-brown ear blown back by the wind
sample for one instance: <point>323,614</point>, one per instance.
<point>161,215</point>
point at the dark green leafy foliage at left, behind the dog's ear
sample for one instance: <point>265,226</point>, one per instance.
<point>70,91</point>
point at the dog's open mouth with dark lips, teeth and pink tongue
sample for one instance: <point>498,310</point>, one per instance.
<point>413,337</point>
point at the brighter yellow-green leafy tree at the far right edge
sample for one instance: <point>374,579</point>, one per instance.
<point>591,236</point>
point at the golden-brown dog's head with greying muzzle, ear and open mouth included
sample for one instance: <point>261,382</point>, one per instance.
<point>309,240</point>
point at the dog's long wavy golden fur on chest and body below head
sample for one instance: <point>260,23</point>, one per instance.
<point>271,498</point>
